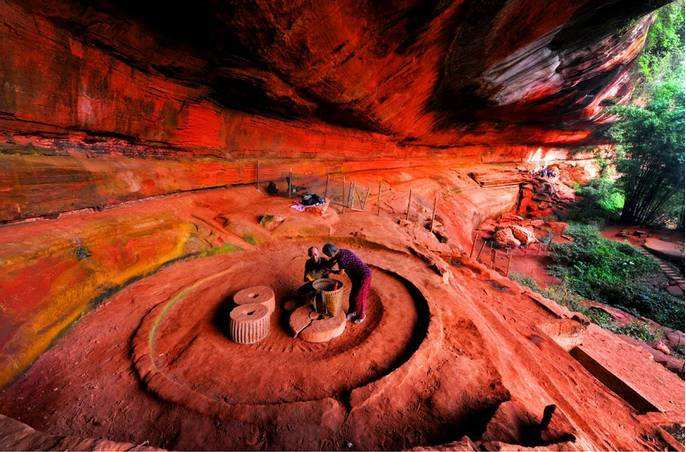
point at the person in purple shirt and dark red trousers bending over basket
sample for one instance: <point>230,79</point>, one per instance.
<point>360,275</point>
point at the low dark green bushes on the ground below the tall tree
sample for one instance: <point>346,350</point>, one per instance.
<point>616,274</point>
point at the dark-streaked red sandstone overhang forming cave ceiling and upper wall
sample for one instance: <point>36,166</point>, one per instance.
<point>94,95</point>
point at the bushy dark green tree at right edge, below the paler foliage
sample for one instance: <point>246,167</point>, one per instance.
<point>650,145</point>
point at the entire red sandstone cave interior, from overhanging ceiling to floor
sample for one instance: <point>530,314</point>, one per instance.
<point>131,137</point>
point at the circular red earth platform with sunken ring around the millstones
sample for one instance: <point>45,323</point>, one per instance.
<point>182,344</point>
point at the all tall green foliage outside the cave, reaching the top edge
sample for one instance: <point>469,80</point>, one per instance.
<point>649,135</point>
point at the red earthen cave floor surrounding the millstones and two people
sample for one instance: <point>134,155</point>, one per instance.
<point>439,357</point>
